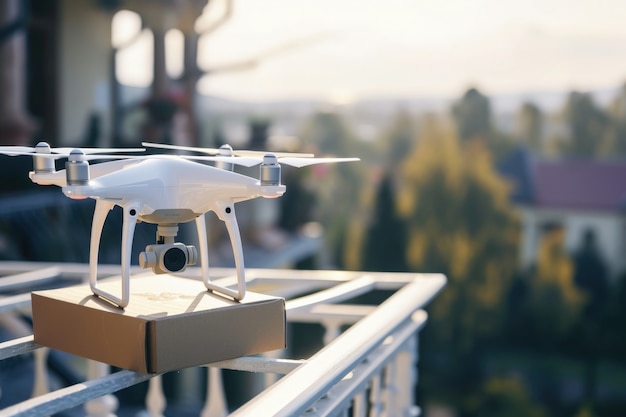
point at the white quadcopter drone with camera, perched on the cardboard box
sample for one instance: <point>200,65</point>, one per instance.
<point>164,190</point>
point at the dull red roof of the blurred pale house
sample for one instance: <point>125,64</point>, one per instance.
<point>580,184</point>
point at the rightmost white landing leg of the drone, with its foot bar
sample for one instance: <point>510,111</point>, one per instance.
<point>226,212</point>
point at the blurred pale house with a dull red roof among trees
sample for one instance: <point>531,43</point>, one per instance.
<point>579,195</point>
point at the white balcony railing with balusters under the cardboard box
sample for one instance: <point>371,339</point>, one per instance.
<point>367,365</point>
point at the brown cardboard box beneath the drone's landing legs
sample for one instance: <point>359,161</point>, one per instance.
<point>171,323</point>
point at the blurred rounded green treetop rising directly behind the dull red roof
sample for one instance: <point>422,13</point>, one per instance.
<point>587,124</point>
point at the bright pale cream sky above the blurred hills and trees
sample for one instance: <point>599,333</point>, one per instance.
<point>353,49</point>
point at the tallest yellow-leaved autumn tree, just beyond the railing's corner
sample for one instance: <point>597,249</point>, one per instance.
<point>460,223</point>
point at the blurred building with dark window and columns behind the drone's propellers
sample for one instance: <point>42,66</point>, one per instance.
<point>59,64</point>
